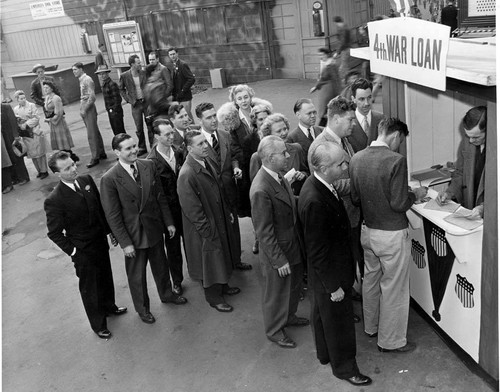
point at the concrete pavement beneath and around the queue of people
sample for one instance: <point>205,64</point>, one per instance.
<point>48,344</point>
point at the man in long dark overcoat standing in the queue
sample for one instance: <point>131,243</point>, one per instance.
<point>207,222</point>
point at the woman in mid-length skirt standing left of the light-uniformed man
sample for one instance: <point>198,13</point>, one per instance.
<point>60,137</point>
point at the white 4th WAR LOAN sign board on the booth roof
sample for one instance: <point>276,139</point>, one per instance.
<point>410,49</point>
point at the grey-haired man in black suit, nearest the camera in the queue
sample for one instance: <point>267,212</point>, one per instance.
<point>326,235</point>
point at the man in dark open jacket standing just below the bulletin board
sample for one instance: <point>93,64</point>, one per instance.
<point>132,83</point>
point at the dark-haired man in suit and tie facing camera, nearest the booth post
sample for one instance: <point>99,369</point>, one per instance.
<point>364,130</point>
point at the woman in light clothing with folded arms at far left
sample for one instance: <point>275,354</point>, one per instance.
<point>28,121</point>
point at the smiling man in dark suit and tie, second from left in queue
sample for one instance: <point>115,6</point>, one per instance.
<point>137,212</point>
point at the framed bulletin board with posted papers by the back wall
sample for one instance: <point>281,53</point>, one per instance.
<point>123,39</point>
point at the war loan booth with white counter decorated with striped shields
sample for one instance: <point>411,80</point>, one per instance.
<point>454,272</point>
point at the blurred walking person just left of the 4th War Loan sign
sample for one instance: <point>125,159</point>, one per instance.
<point>329,83</point>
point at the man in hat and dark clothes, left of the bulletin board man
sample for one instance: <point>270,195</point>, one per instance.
<point>112,99</point>
